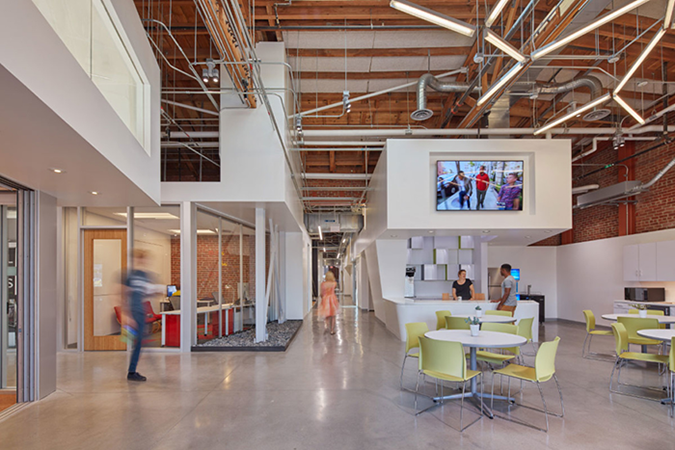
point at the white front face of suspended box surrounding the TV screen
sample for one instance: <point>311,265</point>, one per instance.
<point>411,184</point>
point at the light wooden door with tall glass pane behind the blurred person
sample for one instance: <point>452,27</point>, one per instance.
<point>105,263</point>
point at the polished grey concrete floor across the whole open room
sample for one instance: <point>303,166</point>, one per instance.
<point>326,392</point>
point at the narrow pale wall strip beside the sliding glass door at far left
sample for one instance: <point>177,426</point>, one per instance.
<point>46,294</point>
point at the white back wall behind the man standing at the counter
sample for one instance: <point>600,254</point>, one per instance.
<point>538,267</point>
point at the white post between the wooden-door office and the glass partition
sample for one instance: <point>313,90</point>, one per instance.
<point>188,276</point>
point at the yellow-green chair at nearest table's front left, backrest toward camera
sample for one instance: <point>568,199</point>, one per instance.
<point>445,361</point>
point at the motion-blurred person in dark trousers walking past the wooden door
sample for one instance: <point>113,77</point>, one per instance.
<point>138,288</point>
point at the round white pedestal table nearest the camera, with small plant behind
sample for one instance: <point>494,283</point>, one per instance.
<point>485,339</point>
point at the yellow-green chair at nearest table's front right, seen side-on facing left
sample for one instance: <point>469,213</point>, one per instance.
<point>543,370</point>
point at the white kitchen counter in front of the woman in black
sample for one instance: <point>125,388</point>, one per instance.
<point>400,311</point>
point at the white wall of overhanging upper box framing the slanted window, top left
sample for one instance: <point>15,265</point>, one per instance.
<point>78,130</point>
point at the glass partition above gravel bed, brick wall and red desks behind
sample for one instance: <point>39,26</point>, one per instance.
<point>225,277</point>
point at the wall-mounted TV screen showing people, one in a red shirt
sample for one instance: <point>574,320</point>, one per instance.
<point>479,186</point>
